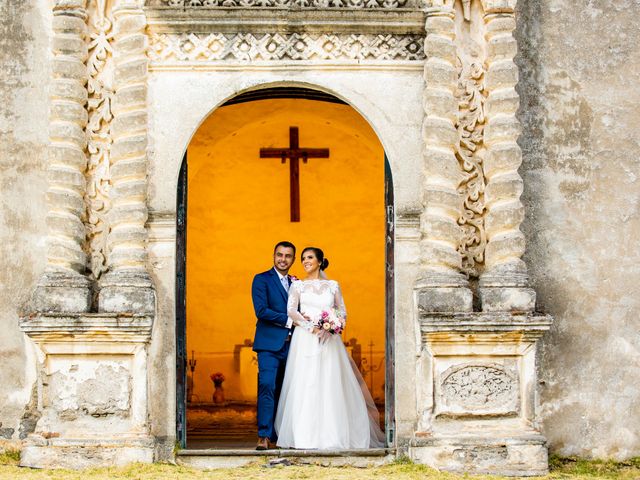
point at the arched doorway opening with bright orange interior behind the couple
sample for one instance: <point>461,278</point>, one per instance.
<point>239,206</point>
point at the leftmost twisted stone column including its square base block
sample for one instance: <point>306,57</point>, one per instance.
<point>64,287</point>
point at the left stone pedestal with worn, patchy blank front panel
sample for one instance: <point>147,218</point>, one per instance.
<point>92,390</point>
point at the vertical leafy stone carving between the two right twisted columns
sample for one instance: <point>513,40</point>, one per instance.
<point>470,126</point>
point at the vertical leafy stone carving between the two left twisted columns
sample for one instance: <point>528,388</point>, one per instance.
<point>99,139</point>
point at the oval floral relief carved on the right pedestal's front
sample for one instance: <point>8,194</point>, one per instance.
<point>479,387</point>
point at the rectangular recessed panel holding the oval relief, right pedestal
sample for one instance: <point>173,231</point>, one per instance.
<point>478,389</point>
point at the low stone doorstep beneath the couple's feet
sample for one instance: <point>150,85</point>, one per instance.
<point>225,458</point>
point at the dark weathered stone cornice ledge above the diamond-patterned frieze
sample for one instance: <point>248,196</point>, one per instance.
<point>285,21</point>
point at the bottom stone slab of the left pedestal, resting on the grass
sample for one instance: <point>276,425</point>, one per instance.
<point>39,452</point>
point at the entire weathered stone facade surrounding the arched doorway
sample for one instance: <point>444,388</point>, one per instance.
<point>100,99</point>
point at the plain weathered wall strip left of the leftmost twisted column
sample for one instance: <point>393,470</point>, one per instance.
<point>24,73</point>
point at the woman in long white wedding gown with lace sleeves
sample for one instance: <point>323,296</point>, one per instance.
<point>324,403</point>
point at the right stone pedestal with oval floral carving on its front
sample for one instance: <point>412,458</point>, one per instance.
<point>479,397</point>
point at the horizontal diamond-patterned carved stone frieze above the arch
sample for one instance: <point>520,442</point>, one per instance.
<point>296,46</point>
